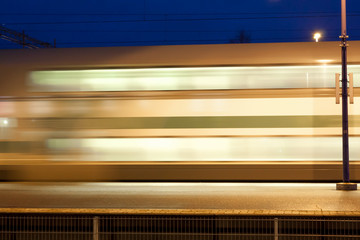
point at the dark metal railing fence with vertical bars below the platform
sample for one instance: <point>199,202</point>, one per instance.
<point>128,227</point>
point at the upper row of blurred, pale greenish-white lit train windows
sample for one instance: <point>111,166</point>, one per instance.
<point>197,78</point>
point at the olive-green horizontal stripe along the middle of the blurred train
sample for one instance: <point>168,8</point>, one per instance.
<point>323,121</point>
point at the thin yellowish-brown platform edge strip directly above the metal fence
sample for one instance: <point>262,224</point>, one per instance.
<point>206,212</point>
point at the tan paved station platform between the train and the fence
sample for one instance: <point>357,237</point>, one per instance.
<point>180,198</point>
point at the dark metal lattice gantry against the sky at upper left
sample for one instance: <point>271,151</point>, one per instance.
<point>22,39</point>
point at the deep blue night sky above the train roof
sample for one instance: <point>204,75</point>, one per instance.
<point>92,23</point>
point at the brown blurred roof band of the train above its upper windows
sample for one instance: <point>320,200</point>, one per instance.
<point>255,54</point>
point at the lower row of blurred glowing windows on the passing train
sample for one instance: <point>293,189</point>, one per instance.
<point>202,149</point>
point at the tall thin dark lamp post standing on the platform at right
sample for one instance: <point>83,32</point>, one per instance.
<point>345,185</point>
